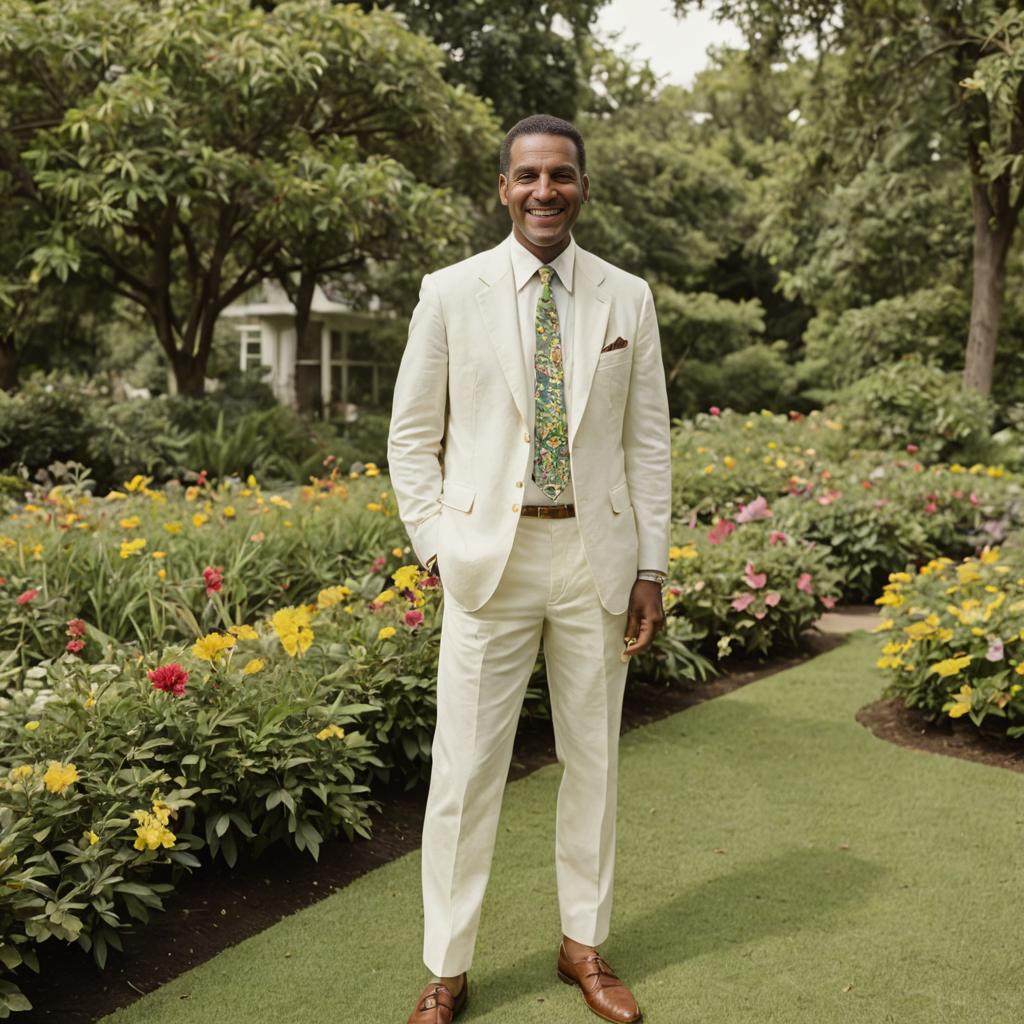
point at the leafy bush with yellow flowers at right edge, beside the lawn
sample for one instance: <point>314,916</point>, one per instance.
<point>955,641</point>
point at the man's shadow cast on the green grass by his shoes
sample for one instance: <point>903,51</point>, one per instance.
<point>777,897</point>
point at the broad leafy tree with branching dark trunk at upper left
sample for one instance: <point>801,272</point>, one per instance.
<point>179,155</point>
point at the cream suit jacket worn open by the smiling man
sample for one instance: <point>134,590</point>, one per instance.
<point>459,443</point>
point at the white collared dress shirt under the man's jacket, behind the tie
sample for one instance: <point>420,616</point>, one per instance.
<point>529,288</point>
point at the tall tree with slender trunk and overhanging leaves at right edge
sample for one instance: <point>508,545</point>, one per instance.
<point>897,59</point>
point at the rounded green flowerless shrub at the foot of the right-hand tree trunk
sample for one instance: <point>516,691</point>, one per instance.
<point>912,403</point>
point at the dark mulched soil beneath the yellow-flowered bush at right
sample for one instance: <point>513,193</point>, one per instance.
<point>909,728</point>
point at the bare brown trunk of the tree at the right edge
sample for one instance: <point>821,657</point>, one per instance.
<point>992,243</point>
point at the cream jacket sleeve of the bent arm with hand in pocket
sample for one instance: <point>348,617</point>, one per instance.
<point>417,430</point>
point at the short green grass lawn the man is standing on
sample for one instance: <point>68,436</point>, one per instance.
<point>777,864</point>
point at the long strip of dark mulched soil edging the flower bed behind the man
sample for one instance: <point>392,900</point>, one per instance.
<point>219,908</point>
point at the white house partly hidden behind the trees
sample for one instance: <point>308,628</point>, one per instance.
<point>329,376</point>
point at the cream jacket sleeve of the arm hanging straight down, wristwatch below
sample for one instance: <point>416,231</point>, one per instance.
<point>647,444</point>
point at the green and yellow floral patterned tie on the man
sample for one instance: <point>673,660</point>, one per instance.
<point>551,448</point>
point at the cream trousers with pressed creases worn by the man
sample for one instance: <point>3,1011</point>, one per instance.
<point>546,592</point>
